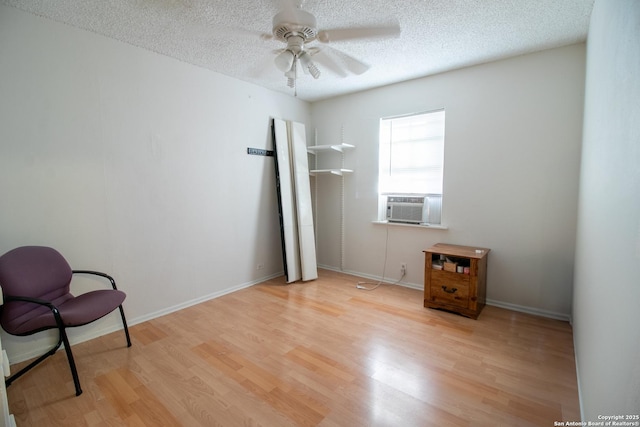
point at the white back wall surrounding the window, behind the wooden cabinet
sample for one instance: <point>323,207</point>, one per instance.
<point>512,151</point>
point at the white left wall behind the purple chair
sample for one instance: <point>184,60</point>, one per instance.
<point>135,164</point>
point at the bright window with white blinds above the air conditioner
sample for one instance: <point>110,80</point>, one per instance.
<point>412,158</point>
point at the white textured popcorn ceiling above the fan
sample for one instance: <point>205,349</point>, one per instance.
<point>224,36</point>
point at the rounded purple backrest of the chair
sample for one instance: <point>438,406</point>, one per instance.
<point>36,272</point>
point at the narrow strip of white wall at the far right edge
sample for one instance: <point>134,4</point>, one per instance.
<point>607,285</point>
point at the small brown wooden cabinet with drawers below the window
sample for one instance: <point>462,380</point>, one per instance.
<point>455,278</point>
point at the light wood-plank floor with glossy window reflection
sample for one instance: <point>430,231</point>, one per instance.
<point>316,353</point>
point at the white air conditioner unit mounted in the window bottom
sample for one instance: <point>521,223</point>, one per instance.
<point>415,209</point>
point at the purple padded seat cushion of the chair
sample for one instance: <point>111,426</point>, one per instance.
<point>74,311</point>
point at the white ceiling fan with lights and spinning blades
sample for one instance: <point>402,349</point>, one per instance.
<point>298,29</point>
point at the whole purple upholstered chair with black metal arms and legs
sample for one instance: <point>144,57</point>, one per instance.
<point>35,284</point>
